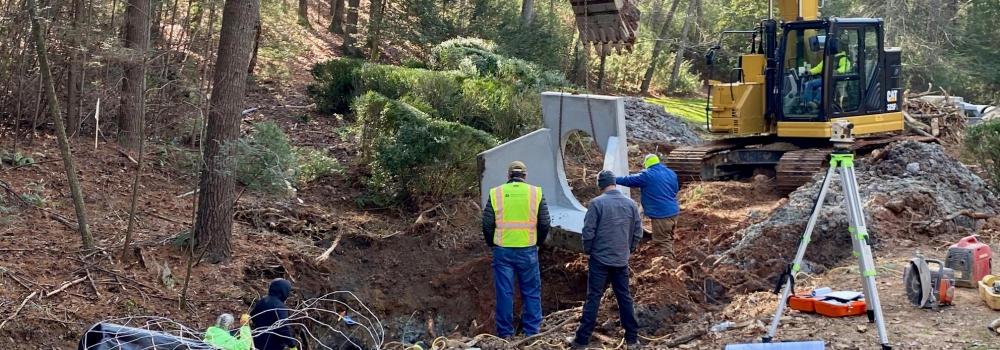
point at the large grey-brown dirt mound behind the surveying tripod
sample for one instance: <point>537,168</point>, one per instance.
<point>911,191</point>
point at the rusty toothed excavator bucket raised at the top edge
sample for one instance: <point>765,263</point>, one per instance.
<point>607,23</point>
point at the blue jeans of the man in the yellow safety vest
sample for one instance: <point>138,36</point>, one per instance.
<point>522,263</point>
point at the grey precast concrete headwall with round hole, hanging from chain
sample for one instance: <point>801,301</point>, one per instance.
<point>602,117</point>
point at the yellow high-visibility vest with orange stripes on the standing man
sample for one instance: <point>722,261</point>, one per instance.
<point>516,207</point>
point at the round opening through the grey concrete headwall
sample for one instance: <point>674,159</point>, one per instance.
<point>582,160</point>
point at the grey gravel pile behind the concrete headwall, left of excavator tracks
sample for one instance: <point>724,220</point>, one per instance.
<point>651,123</point>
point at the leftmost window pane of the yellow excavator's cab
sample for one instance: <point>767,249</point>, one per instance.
<point>802,77</point>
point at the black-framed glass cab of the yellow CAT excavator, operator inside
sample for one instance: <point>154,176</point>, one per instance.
<point>835,68</point>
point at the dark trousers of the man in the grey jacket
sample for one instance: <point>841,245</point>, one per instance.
<point>598,278</point>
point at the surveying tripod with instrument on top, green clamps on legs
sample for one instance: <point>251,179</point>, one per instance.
<point>842,161</point>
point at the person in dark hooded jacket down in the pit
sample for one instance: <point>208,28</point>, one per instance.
<point>267,312</point>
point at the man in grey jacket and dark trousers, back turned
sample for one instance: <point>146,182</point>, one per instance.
<point>612,229</point>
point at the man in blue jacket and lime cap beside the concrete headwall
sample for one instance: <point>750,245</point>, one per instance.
<point>659,188</point>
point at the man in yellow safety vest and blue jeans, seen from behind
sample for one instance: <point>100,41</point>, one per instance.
<point>515,223</point>
